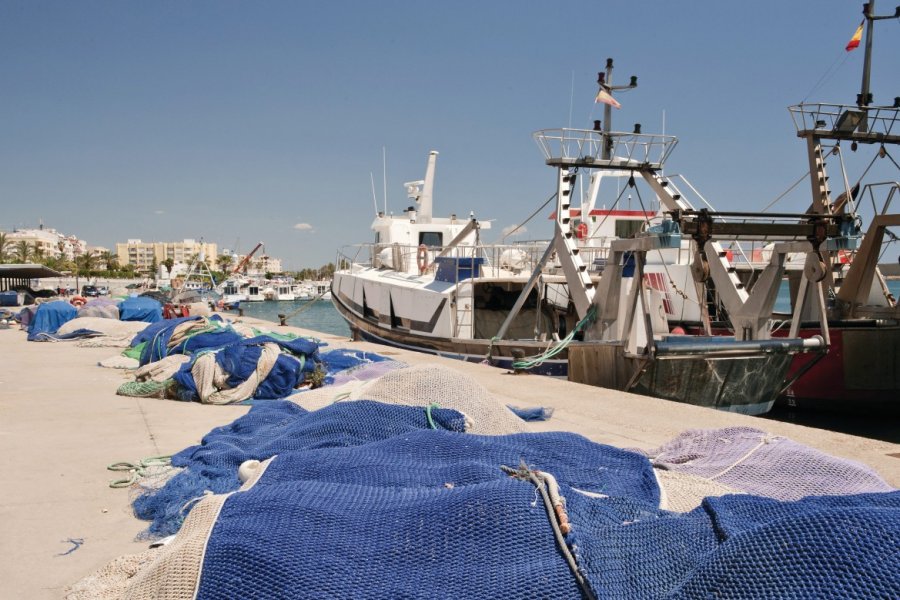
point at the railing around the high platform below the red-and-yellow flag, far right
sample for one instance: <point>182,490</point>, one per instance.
<point>869,124</point>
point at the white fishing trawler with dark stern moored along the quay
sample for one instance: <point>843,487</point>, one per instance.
<point>608,314</point>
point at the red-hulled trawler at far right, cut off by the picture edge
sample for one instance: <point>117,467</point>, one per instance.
<point>860,372</point>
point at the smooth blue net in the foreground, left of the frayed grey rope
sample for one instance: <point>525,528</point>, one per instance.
<point>424,515</point>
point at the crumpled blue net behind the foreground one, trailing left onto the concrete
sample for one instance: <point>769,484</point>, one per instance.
<point>272,428</point>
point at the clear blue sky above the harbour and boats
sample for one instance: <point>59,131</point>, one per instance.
<point>237,122</point>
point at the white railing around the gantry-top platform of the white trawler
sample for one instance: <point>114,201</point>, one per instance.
<point>598,149</point>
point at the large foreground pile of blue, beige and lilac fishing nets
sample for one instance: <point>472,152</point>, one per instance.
<point>368,499</point>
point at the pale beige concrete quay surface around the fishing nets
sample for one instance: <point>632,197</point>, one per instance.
<point>61,424</point>
